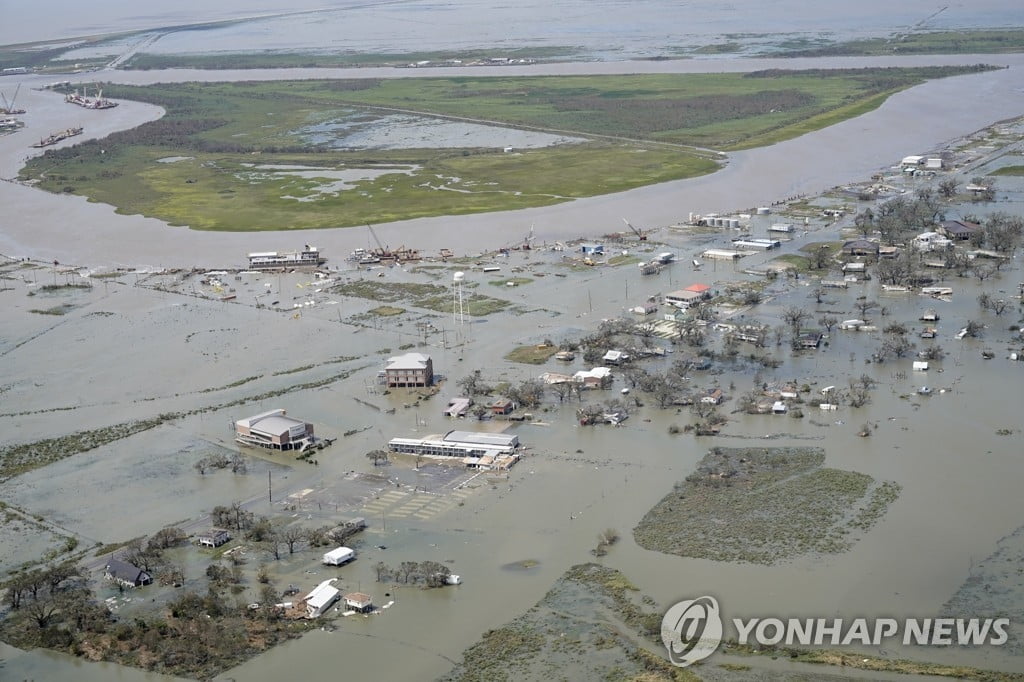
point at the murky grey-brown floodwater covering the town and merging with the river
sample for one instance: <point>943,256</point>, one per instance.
<point>960,479</point>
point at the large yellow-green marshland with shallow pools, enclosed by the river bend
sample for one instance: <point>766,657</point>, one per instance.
<point>315,155</point>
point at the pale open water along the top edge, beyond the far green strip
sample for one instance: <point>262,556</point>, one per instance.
<point>604,29</point>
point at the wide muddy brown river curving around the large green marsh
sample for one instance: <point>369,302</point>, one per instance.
<point>908,123</point>
